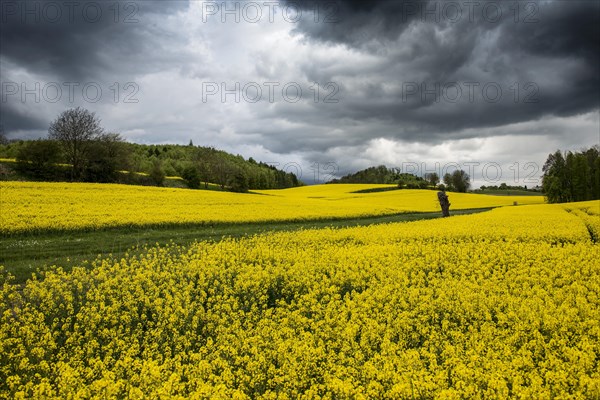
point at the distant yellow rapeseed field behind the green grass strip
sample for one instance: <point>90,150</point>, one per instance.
<point>35,207</point>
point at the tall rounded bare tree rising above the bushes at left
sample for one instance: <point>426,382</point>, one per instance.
<point>75,129</point>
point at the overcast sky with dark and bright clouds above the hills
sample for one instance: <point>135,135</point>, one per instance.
<point>322,88</point>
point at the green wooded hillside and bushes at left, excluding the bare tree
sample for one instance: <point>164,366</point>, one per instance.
<point>113,160</point>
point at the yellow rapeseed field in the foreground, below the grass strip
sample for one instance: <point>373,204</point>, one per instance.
<point>503,304</point>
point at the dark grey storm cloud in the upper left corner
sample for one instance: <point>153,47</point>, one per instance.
<point>77,40</point>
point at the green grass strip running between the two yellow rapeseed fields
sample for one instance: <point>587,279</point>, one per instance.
<point>24,255</point>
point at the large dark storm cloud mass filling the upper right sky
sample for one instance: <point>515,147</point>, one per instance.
<point>550,50</point>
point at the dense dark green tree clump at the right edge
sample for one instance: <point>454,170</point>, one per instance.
<point>572,176</point>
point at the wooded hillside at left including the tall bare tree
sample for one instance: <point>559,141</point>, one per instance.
<point>79,150</point>
